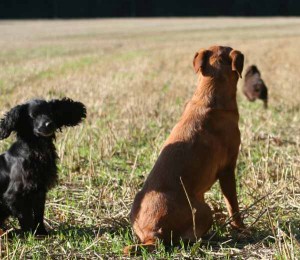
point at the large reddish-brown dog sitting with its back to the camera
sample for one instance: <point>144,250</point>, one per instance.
<point>201,149</point>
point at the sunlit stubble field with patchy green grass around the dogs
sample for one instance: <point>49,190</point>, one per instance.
<point>135,76</point>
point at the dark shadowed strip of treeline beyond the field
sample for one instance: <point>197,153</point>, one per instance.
<point>20,9</point>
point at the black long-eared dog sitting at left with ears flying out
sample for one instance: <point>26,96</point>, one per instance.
<point>28,169</point>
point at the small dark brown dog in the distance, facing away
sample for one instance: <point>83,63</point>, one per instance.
<point>254,87</point>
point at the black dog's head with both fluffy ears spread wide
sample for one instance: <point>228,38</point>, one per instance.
<point>40,118</point>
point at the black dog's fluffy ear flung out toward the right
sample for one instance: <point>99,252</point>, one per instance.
<point>67,112</point>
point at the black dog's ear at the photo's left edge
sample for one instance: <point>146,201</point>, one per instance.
<point>10,121</point>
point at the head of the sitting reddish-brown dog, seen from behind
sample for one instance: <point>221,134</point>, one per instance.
<point>219,62</point>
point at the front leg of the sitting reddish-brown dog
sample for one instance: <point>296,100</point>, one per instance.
<point>228,187</point>
